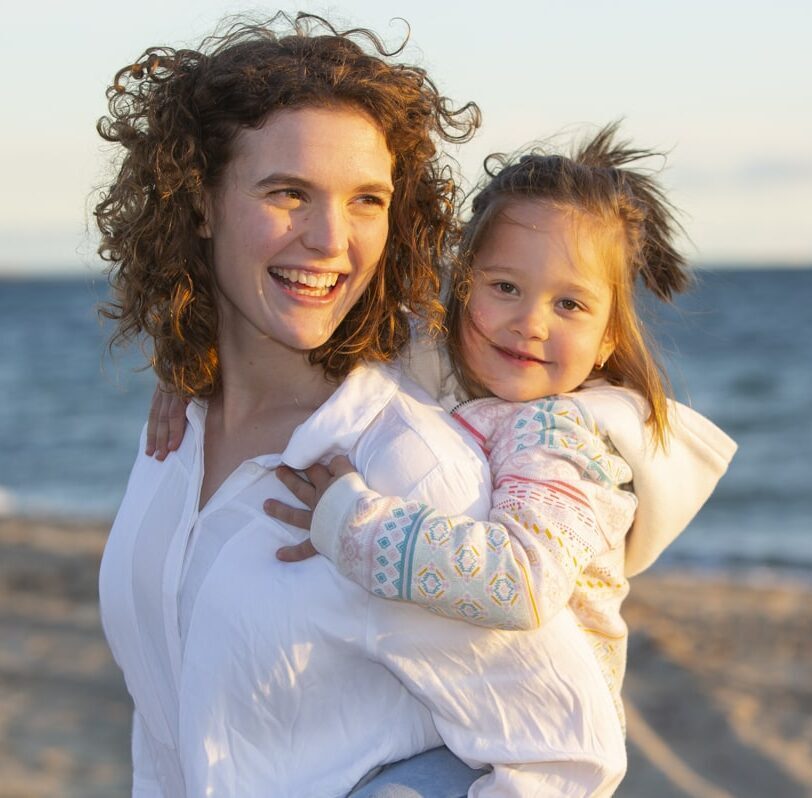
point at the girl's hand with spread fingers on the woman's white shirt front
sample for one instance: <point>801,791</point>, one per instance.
<point>309,491</point>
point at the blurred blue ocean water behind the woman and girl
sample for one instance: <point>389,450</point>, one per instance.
<point>738,349</point>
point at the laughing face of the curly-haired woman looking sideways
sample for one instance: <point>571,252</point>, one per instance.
<point>299,224</point>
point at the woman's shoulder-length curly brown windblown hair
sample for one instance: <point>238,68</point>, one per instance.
<point>176,114</point>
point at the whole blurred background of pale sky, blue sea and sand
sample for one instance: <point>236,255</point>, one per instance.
<point>720,681</point>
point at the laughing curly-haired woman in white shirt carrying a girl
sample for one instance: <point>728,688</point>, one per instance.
<point>279,202</point>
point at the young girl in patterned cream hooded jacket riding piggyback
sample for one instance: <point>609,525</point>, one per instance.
<point>594,470</point>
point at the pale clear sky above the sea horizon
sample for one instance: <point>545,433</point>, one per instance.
<point>724,87</point>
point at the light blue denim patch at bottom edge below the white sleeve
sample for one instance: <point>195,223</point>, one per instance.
<point>432,774</point>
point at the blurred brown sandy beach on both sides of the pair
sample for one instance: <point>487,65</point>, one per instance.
<point>719,686</point>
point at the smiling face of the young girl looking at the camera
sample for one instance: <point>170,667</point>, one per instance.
<point>536,322</point>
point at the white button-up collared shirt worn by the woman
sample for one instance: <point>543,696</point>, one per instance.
<point>252,677</point>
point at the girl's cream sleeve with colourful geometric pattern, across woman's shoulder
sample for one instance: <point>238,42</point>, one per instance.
<point>557,504</point>
